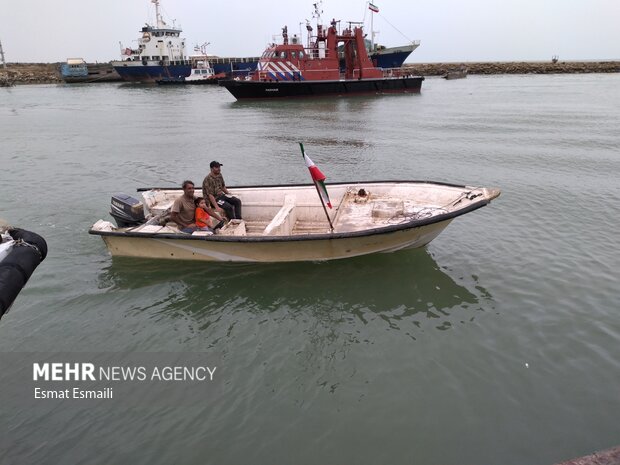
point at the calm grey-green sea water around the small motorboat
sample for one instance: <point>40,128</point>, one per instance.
<point>497,344</point>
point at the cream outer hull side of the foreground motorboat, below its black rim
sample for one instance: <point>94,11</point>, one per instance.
<point>293,250</point>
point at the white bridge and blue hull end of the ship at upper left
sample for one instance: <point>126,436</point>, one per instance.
<point>160,53</point>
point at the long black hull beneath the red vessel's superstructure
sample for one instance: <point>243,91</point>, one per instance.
<point>291,89</point>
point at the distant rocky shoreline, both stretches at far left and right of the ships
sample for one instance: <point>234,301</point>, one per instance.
<point>49,73</point>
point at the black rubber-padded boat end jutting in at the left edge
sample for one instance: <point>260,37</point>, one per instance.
<point>21,252</point>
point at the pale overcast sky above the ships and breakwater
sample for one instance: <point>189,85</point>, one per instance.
<point>449,30</point>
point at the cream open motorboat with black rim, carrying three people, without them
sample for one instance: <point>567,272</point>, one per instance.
<point>287,223</point>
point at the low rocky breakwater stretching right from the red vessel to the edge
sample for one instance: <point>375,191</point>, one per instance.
<point>516,67</point>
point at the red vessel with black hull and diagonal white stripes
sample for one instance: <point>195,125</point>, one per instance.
<point>291,70</point>
